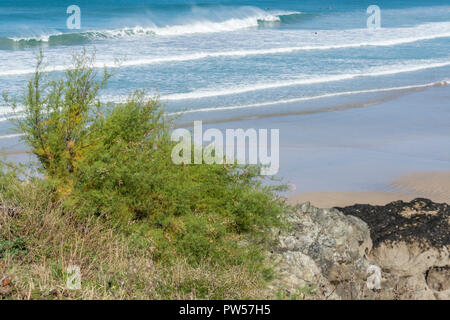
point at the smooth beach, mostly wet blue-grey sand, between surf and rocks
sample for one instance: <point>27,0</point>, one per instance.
<point>375,153</point>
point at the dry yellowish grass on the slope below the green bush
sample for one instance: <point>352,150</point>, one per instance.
<point>113,265</point>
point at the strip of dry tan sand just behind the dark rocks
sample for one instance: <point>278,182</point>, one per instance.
<point>432,185</point>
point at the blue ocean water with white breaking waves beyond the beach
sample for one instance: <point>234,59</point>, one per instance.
<point>225,59</point>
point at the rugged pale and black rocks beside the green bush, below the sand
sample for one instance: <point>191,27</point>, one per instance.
<point>397,251</point>
